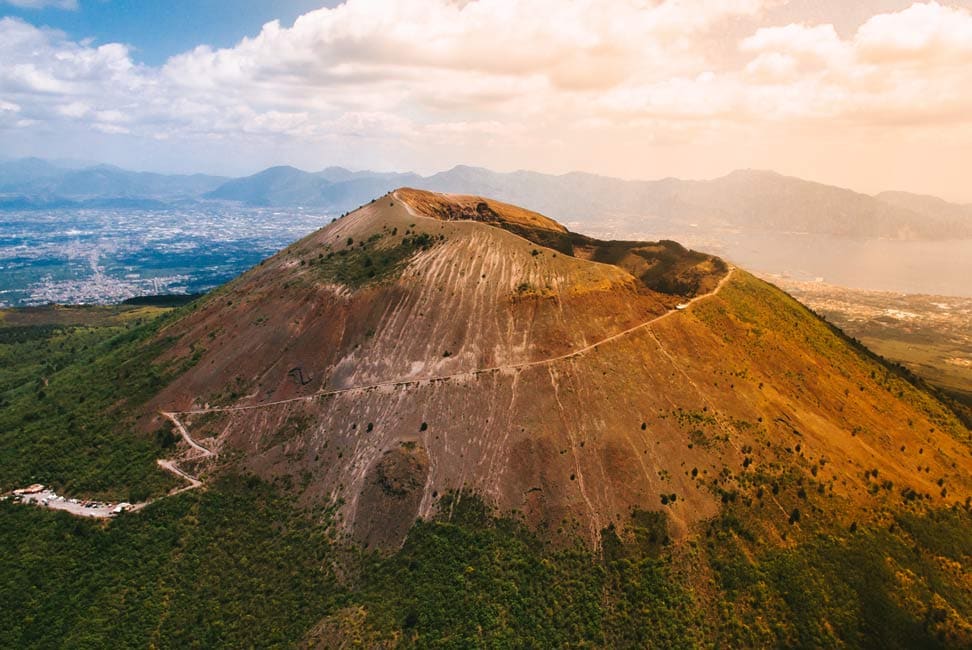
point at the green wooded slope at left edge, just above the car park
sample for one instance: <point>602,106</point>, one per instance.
<point>67,394</point>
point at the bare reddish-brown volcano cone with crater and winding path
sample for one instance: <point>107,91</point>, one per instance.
<point>418,346</point>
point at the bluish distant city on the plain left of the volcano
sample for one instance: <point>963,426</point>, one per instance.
<point>98,256</point>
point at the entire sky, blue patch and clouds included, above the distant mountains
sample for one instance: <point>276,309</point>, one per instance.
<point>872,94</point>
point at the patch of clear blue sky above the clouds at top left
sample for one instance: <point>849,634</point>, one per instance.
<point>158,29</point>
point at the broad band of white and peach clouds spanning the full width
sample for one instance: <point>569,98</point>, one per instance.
<point>503,75</point>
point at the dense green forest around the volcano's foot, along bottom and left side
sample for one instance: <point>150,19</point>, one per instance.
<point>239,564</point>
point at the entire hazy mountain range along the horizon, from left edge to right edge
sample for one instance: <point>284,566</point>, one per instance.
<point>746,201</point>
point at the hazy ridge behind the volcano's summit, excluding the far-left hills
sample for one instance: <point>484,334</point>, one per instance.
<point>754,201</point>
